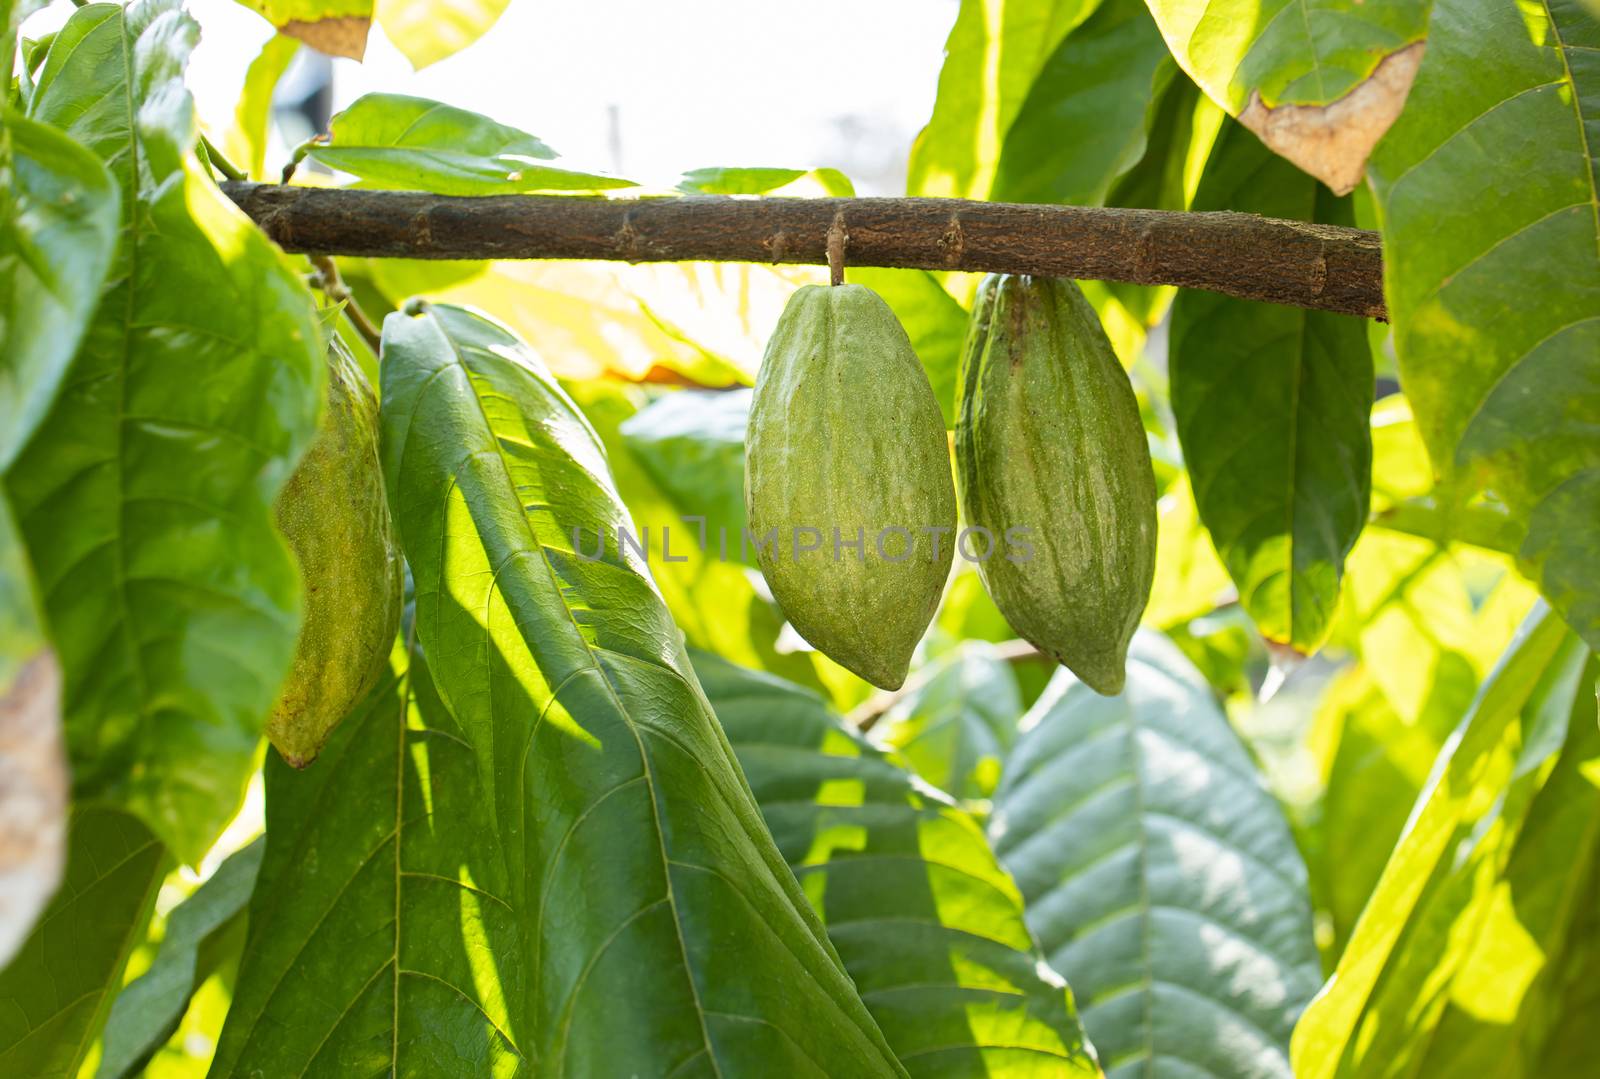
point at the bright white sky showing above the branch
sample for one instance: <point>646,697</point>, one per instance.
<point>716,82</point>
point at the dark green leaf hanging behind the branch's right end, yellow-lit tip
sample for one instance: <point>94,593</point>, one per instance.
<point>1273,409</point>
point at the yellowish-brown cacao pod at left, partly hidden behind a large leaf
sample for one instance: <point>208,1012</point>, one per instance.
<point>335,515</point>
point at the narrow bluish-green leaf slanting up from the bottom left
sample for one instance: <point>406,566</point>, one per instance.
<point>151,1008</point>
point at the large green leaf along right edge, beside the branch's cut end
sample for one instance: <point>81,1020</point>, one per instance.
<point>1494,297</point>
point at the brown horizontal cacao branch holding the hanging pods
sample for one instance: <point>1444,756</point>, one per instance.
<point>1241,255</point>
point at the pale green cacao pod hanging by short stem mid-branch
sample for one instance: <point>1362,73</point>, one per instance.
<point>849,481</point>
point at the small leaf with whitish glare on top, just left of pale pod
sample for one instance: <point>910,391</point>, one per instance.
<point>692,444</point>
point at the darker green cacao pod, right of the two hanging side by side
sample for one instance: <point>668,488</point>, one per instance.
<point>1050,452</point>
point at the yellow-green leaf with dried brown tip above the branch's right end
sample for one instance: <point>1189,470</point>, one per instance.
<point>1319,82</point>
